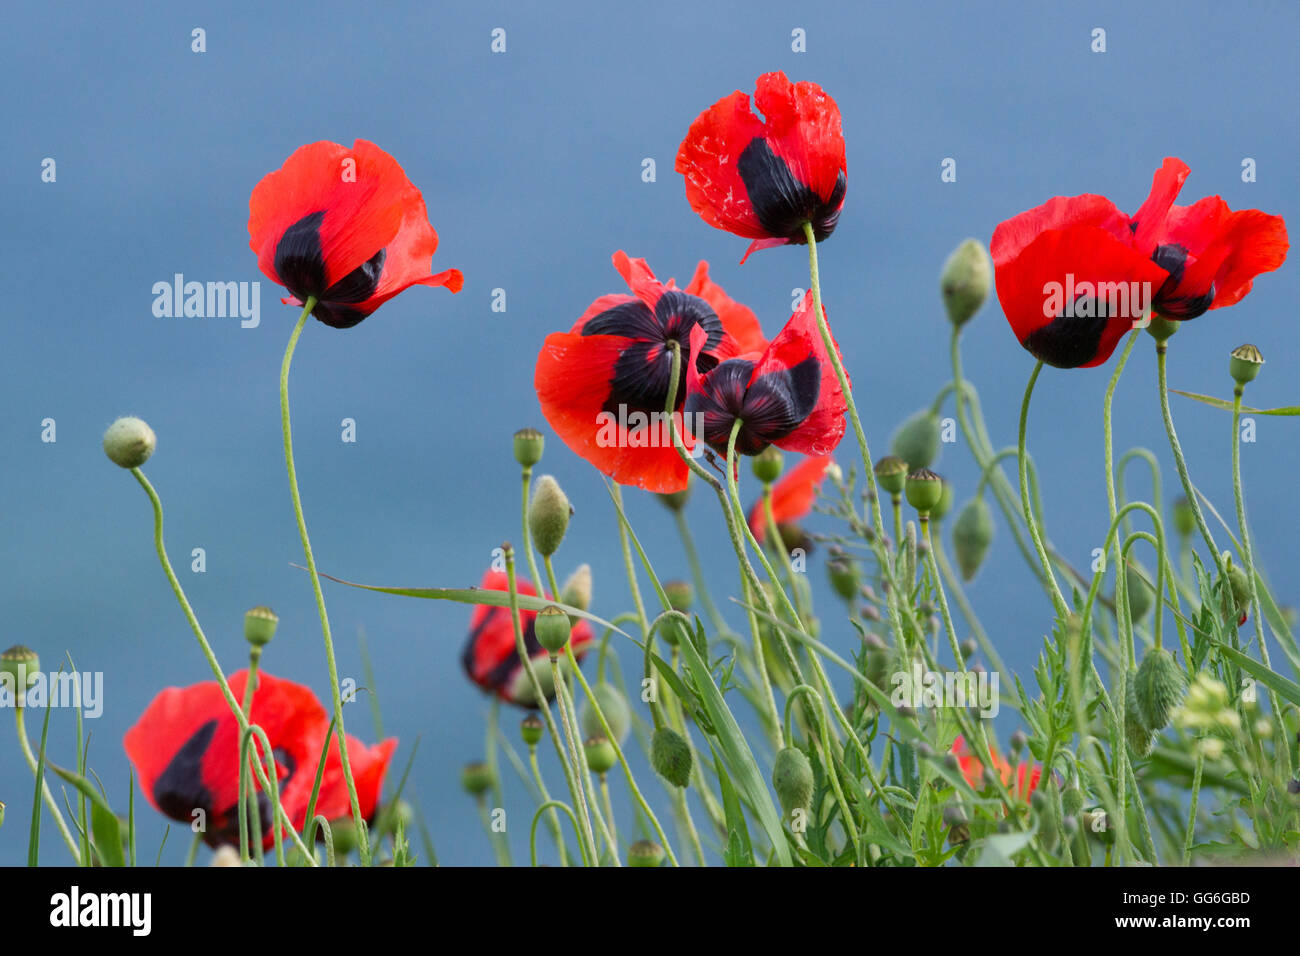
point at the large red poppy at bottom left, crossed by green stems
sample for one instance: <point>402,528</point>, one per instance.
<point>185,750</point>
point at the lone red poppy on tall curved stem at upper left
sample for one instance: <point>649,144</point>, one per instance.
<point>346,227</point>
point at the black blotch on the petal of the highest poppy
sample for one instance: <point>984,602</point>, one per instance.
<point>782,204</point>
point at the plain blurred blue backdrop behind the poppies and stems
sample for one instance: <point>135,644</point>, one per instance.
<point>531,166</point>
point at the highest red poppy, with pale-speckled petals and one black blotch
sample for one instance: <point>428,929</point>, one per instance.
<point>765,179</point>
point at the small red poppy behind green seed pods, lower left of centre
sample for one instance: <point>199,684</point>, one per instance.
<point>491,657</point>
